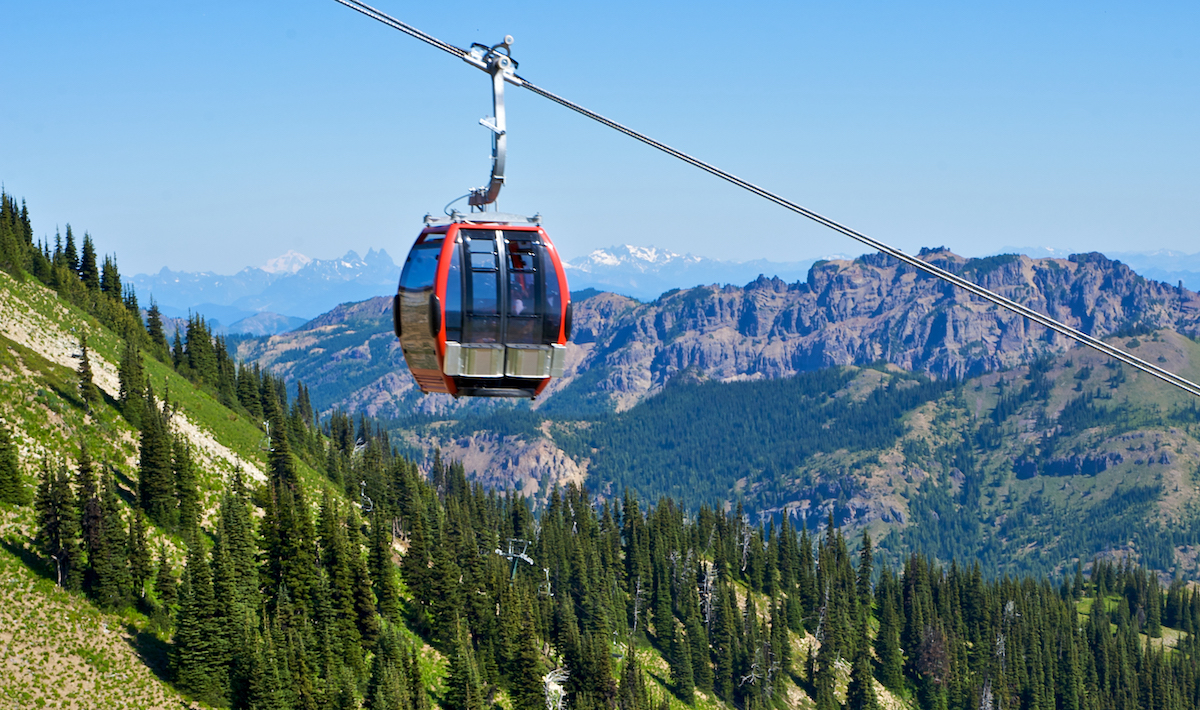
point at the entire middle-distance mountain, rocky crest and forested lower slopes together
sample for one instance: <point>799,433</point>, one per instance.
<point>968,436</point>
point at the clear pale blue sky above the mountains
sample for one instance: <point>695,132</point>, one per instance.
<point>217,135</point>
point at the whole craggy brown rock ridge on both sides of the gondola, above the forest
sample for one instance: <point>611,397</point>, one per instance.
<point>849,312</point>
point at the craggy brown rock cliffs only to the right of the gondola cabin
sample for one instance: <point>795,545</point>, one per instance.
<point>867,310</point>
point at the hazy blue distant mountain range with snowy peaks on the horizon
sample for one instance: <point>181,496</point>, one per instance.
<point>292,290</point>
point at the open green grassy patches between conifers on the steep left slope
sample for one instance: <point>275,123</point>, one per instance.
<point>49,633</point>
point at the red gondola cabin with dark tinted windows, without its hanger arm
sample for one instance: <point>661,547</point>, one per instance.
<point>483,308</point>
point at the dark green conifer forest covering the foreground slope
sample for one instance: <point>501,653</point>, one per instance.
<point>355,575</point>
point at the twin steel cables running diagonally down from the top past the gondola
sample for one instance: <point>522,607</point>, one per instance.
<point>933,270</point>
